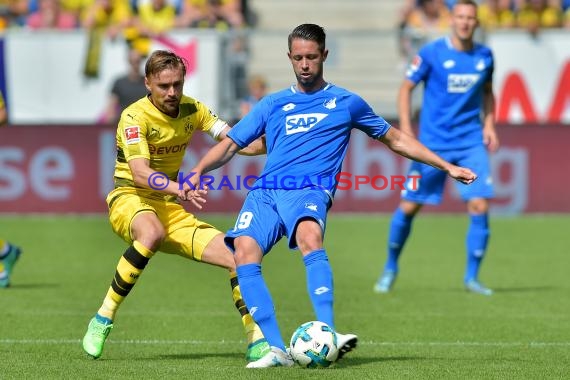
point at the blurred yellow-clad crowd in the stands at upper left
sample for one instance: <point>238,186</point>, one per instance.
<point>135,20</point>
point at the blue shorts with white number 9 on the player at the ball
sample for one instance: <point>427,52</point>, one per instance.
<point>269,214</point>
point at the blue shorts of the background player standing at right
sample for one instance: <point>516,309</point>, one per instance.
<point>428,189</point>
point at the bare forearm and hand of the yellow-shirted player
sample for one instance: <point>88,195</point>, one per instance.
<point>141,172</point>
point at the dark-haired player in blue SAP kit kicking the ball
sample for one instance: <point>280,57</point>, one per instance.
<point>307,129</point>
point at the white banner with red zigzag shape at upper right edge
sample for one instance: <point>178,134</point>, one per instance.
<point>532,76</point>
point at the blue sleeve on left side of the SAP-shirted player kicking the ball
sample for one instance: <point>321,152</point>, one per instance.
<point>252,126</point>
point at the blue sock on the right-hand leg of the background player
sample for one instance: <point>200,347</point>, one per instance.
<point>476,244</point>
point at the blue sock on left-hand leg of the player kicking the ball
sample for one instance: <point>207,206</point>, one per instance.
<point>258,300</point>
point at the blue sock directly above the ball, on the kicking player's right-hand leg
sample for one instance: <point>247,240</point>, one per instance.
<point>320,285</point>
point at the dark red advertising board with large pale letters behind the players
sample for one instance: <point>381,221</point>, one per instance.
<point>69,169</point>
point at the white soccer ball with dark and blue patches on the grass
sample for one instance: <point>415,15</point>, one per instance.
<point>314,344</point>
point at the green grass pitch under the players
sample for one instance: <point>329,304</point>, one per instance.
<point>179,321</point>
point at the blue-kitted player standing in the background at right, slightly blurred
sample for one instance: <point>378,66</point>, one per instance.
<point>457,122</point>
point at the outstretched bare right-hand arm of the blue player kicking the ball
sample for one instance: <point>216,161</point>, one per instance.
<point>407,146</point>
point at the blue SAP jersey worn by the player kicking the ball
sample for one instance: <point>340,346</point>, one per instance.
<point>307,135</point>
